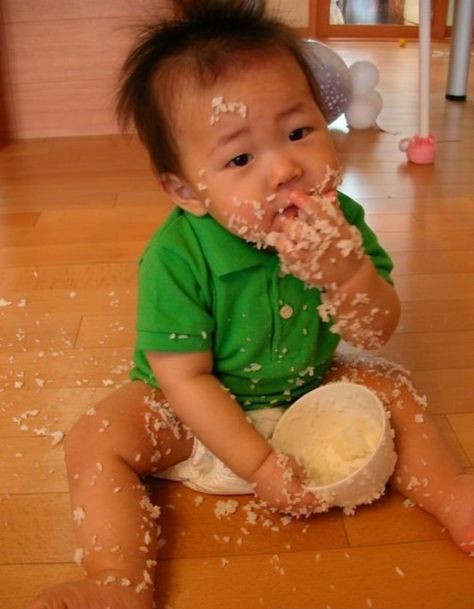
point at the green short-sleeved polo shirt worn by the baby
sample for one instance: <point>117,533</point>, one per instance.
<point>203,288</point>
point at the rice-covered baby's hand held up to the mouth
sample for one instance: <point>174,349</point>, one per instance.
<point>318,246</point>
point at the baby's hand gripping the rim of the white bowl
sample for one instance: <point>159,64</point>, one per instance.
<point>281,483</point>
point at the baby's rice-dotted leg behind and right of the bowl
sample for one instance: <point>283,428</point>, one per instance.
<point>427,472</point>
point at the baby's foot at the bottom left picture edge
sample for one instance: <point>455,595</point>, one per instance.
<point>88,594</point>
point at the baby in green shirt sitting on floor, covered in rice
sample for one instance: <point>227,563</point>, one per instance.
<point>244,294</point>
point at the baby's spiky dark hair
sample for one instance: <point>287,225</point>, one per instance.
<point>209,35</point>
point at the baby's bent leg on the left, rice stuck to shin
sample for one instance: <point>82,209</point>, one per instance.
<point>126,437</point>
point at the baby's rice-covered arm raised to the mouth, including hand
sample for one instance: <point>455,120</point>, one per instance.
<point>325,251</point>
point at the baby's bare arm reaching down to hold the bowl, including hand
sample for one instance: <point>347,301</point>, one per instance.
<point>214,417</point>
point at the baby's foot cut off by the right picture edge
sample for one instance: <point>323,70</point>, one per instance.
<point>457,512</point>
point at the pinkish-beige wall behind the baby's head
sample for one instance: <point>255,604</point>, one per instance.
<point>62,58</point>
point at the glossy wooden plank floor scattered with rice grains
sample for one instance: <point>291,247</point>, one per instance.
<point>74,216</point>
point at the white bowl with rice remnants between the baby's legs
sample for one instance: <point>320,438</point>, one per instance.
<point>342,435</point>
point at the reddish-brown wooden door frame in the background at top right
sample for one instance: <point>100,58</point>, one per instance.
<point>319,26</point>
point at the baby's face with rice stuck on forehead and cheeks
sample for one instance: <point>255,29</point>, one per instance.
<point>251,139</point>
